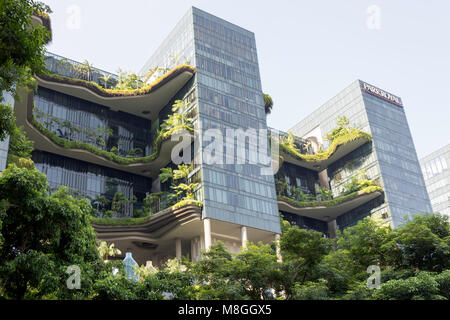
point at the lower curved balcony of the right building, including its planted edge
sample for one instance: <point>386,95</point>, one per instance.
<point>330,209</point>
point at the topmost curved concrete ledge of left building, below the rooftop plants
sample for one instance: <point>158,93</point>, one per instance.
<point>145,103</point>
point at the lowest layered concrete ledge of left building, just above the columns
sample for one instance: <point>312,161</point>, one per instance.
<point>152,229</point>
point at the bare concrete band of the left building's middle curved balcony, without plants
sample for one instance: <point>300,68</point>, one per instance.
<point>23,111</point>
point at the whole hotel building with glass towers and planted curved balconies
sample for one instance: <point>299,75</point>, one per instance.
<point>110,145</point>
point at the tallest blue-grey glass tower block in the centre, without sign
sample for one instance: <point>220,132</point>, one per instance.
<point>228,96</point>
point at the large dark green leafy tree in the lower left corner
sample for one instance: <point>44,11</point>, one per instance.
<point>43,234</point>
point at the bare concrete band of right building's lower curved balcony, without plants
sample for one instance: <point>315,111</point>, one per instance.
<point>328,213</point>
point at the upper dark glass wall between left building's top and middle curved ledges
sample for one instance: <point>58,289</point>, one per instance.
<point>79,120</point>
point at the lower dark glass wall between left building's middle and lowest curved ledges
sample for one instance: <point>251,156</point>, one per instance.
<point>91,180</point>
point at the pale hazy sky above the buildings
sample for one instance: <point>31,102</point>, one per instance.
<point>308,51</point>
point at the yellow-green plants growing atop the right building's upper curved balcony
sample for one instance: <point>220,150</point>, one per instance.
<point>339,136</point>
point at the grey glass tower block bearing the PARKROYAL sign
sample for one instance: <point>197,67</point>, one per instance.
<point>390,159</point>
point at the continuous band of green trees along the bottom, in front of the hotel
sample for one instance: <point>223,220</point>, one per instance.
<point>41,234</point>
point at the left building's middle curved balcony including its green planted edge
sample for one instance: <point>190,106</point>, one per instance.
<point>46,141</point>
